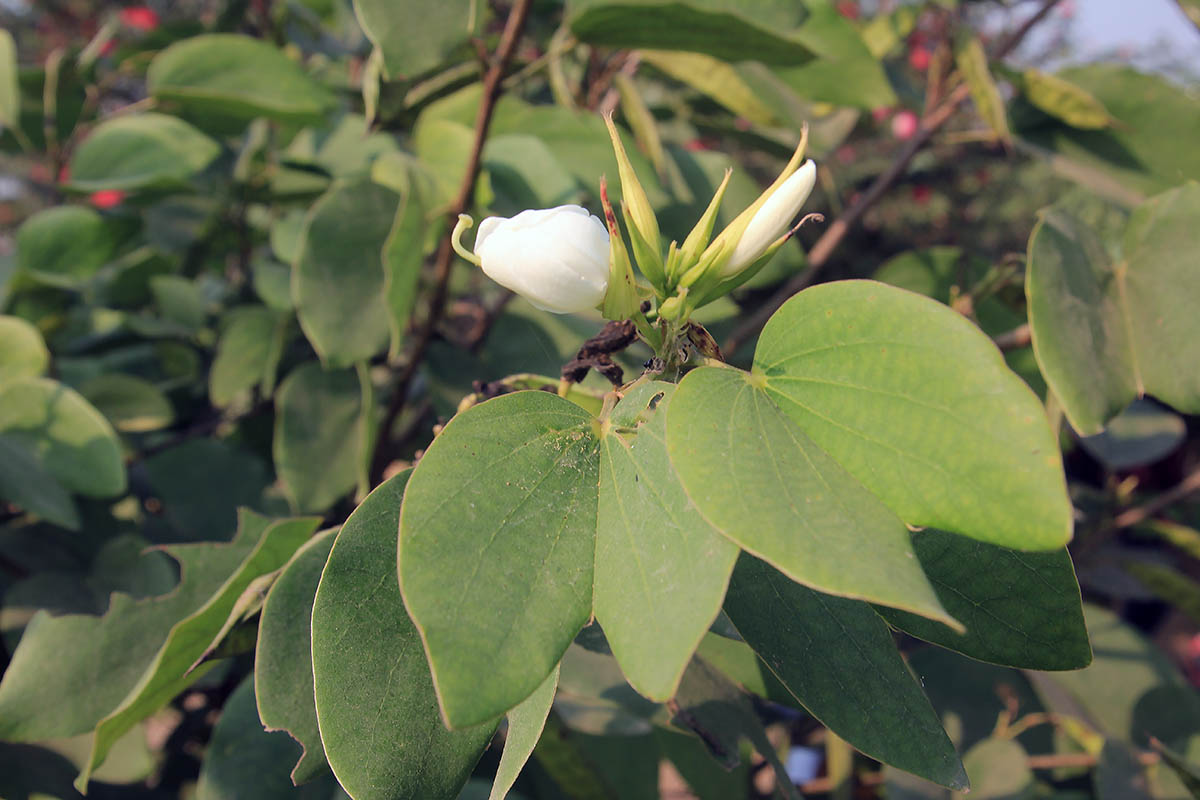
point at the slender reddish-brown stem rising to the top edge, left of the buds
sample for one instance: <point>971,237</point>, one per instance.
<point>445,258</point>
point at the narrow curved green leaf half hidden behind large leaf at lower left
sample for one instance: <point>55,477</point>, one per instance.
<point>284,658</point>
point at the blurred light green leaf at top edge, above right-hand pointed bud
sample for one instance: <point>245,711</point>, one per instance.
<point>845,73</point>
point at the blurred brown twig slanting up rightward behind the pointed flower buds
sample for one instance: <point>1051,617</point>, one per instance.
<point>837,232</point>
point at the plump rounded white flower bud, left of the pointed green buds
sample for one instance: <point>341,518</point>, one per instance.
<point>556,258</point>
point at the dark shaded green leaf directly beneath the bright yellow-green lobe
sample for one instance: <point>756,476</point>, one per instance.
<point>1021,610</point>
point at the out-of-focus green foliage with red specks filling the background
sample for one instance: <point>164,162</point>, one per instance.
<point>225,284</point>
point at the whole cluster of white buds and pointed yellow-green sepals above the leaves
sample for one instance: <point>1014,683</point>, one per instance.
<point>567,261</point>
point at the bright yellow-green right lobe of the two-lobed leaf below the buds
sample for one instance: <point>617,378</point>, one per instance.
<point>917,404</point>
